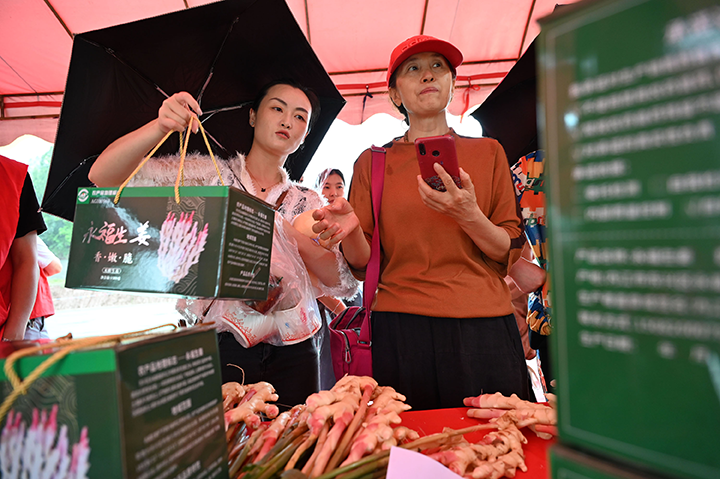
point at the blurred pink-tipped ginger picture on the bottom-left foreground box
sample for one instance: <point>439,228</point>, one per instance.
<point>39,451</point>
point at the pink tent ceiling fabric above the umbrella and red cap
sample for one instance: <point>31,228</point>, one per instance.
<point>352,39</point>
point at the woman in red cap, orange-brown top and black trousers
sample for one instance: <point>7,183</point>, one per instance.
<point>443,325</point>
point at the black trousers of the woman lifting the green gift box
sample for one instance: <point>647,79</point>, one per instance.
<point>293,370</point>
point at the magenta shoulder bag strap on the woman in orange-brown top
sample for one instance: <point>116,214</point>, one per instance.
<point>372,276</point>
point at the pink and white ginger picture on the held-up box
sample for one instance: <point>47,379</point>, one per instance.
<point>180,245</point>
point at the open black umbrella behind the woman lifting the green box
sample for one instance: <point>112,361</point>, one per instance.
<point>221,53</point>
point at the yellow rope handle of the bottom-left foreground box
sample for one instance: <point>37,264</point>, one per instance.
<point>65,347</point>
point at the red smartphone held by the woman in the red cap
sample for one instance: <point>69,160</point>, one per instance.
<point>437,149</point>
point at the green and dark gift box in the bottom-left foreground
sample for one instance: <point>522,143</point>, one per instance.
<point>146,408</point>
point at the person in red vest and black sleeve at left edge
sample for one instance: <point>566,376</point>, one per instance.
<point>20,224</point>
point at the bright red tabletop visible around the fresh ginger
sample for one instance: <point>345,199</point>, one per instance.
<point>433,421</point>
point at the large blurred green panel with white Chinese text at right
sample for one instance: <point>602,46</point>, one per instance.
<point>631,97</point>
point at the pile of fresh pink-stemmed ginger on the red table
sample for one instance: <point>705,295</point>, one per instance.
<point>357,418</point>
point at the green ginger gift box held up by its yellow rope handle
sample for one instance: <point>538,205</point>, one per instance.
<point>216,242</point>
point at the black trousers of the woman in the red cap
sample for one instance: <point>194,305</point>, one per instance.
<point>437,362</point>
